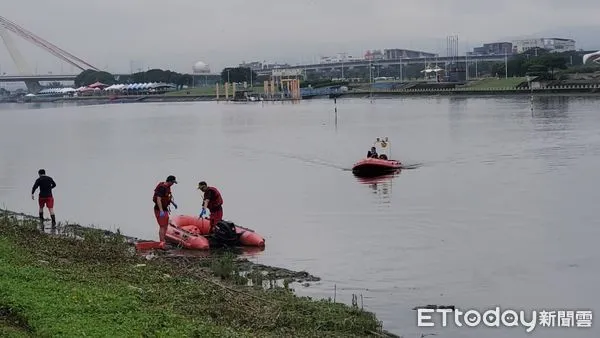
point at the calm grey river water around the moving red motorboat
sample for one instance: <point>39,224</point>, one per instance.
<point>499,211</point>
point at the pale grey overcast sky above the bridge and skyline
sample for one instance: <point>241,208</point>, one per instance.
<point>119,34</point>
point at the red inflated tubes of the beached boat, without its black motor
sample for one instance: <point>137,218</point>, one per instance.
<point>193,233</point>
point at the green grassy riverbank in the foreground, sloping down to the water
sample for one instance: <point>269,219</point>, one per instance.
<point>90,283</point>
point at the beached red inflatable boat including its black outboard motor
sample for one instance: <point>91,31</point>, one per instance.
<point>193,233</point>
